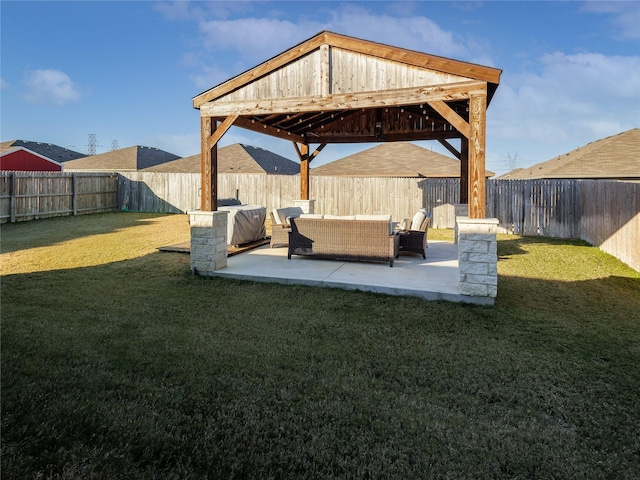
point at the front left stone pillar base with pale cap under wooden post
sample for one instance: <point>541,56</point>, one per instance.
<point>208,241</point>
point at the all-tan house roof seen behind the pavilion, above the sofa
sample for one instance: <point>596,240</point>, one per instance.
<point>398,159</point>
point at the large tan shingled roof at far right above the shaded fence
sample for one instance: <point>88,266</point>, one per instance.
<point>615,157</point>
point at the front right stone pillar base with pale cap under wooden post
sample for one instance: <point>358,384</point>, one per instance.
<point>478,256</point>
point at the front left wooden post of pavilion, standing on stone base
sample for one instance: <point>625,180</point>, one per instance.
<point>208,166</point>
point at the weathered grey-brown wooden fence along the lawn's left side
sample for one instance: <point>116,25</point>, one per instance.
<point>31,195</point>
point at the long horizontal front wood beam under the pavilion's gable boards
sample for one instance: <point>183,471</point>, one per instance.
<point>346,101</point>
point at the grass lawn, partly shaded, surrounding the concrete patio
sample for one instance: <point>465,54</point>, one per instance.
<point>118,363</point>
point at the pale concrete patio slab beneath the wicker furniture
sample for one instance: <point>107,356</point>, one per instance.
<point>435,278</point>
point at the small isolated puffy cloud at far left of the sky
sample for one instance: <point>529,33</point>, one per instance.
<point>50,87</point>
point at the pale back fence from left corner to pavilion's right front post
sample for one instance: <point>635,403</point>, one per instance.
<point>180,192</point>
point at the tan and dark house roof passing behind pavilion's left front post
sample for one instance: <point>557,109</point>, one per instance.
<point>236,158</point>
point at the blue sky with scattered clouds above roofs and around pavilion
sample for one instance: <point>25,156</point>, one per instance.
<point>127,71</point>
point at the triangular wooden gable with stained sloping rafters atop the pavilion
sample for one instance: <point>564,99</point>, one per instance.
<point>329,63</point>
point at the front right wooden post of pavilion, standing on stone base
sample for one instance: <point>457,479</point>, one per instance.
<point>476,147</point>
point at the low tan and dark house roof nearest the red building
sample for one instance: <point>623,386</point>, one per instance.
<point>125,159</point>
